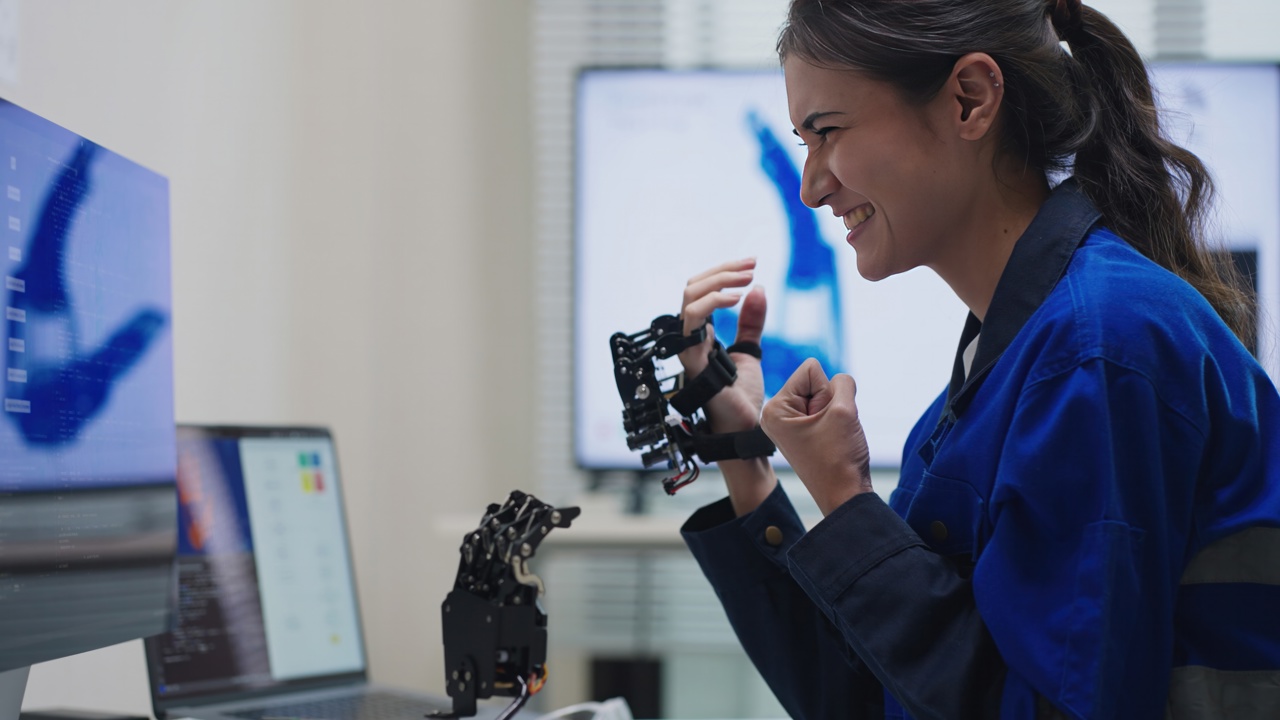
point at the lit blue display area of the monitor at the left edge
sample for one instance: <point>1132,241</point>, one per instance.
<point>88,350</point>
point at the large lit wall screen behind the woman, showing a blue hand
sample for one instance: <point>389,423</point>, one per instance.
<point>680,171</point>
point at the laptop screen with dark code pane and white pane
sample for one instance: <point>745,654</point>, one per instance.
<point>267,594</point>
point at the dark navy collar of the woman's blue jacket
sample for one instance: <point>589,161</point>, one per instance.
<point>1039,261</point>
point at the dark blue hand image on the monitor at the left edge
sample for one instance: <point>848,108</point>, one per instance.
<point>62,388</point>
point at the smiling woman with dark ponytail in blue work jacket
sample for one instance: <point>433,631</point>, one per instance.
<point>1087,522</point>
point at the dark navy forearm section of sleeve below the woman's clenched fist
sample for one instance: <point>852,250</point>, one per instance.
<point>906,610</point>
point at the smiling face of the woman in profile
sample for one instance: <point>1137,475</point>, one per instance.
<point>893,171</point>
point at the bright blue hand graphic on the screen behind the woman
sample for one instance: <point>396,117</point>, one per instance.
<point>807,317</point>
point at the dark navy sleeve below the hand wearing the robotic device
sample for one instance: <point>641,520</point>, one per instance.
<point>799,653</point>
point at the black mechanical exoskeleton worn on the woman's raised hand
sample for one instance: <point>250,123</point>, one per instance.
<point>666,414</point>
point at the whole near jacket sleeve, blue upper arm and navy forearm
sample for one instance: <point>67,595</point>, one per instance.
<point>1069,609</point>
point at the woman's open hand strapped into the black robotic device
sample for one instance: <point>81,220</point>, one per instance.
<point>738,407</point>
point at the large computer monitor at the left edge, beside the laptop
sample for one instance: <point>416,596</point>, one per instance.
<point>88,457</point>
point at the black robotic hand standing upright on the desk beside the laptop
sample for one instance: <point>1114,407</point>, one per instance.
<point>495,627</point>
